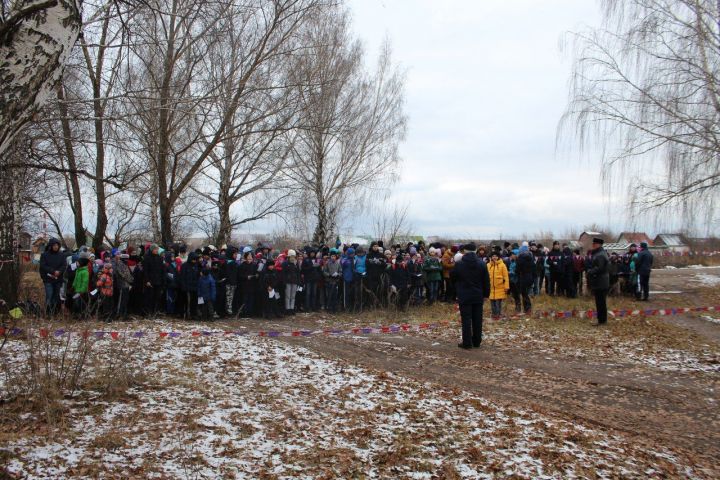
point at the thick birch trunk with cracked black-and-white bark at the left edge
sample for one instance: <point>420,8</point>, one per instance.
<point>35,40</point>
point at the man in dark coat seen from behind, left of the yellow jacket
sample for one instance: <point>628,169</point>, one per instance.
<point>472,283</point>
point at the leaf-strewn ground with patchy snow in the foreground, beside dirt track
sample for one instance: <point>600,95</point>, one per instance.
<point>236,407</point>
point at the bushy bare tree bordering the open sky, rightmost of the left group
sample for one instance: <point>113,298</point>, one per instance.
<point>352,122</point>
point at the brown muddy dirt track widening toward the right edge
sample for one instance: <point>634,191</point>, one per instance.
<point>648,381</point>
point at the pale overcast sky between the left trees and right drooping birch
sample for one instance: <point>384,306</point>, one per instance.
<point>486,86</point>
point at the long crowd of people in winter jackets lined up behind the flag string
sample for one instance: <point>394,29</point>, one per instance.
<point>259,281</point>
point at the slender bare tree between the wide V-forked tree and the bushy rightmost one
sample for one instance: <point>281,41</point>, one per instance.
<point>243,168</point>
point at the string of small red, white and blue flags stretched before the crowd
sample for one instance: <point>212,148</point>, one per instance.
<point>365,330</point>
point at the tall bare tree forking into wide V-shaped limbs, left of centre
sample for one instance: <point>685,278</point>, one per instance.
<point>181,128</point>
